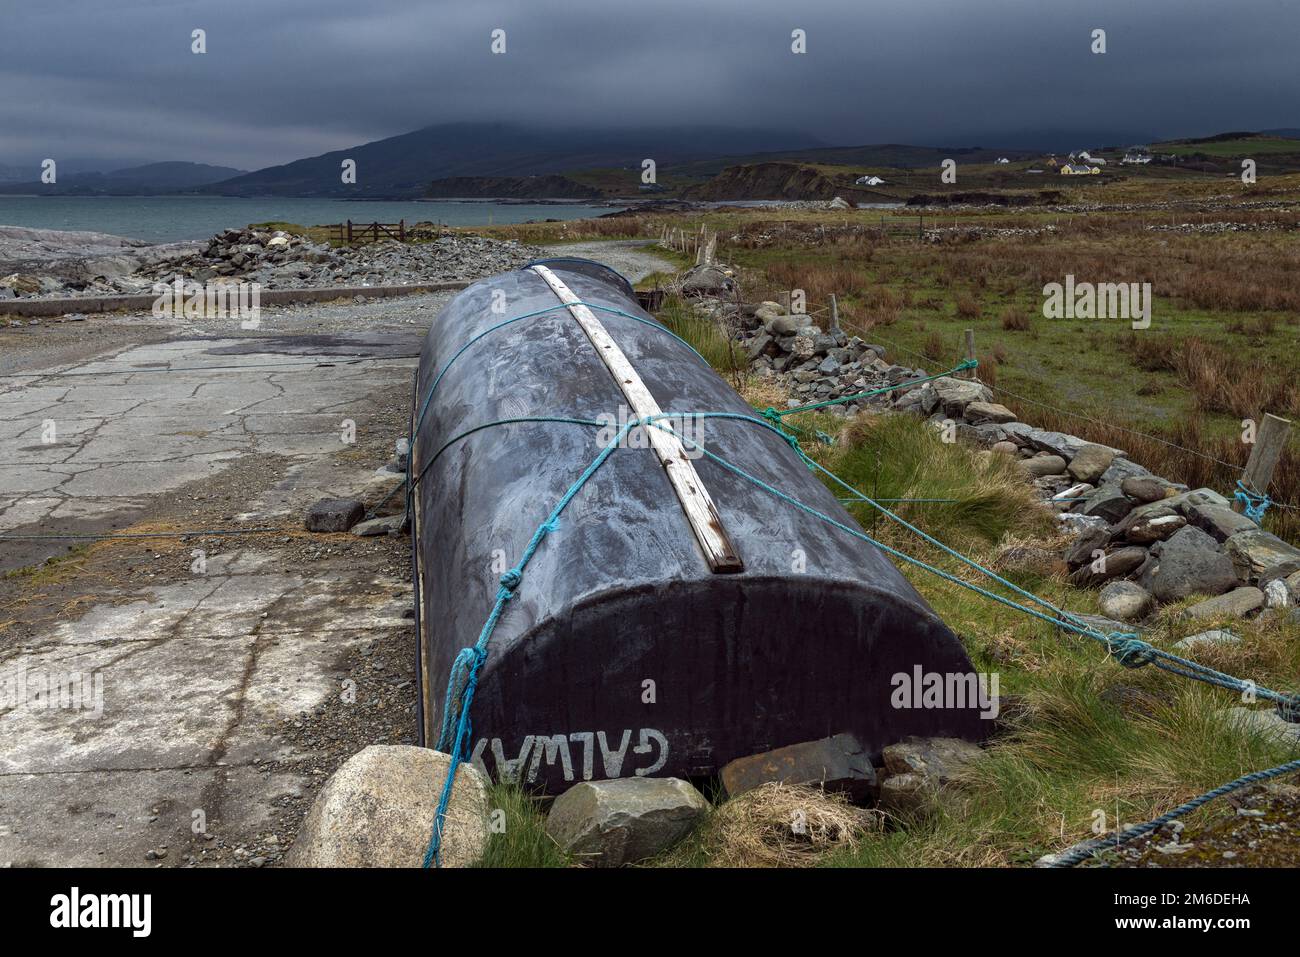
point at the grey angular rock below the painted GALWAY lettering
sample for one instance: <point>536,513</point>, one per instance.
<point>625,821</point>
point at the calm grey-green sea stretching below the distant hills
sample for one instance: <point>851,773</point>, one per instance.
<point>171,219</point>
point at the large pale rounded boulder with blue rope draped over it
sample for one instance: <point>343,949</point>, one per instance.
<point>378,811</point>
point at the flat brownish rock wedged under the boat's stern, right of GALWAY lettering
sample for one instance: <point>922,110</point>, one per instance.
<point>835,764</point>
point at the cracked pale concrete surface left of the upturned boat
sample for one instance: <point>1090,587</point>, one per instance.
<point>196,691</point>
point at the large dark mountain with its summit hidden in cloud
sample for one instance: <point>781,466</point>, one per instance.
<point>405,166</point>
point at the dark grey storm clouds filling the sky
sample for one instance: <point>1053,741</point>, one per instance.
<point>291,79</point>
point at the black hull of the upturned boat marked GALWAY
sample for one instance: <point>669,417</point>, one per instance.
<point>622,653</point>
